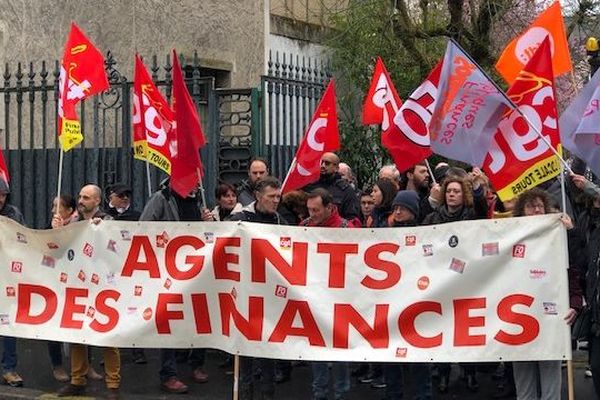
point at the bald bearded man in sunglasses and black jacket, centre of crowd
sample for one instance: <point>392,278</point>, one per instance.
<point>343,194</point>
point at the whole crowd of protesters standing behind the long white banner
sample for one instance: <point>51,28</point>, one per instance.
<point>395,200</point>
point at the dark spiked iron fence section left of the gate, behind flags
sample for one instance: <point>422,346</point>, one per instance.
<point>28,120</point>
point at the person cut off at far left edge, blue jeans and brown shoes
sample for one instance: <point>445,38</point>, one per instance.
<point>9,356</point>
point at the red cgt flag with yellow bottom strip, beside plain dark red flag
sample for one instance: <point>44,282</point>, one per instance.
<point>152,121</point>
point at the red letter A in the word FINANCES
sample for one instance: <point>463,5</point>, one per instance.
<point>309,328</point>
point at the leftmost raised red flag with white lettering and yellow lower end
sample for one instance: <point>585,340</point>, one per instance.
<point>82,75</point>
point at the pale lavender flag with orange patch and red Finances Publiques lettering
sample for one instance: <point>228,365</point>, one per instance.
<point>467,111</point>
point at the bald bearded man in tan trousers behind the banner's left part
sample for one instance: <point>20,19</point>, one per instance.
<point>88,208</point>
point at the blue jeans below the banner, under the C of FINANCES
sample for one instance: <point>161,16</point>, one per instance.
<point>421,376</point>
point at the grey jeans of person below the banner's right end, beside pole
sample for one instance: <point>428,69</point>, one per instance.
<point>531,374</point>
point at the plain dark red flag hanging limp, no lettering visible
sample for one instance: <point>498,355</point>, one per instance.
<point>186,168</point>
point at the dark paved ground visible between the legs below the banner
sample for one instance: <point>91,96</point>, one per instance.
<point>140,382</point>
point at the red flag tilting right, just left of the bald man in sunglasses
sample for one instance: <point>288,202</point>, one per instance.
<point>322,136</point>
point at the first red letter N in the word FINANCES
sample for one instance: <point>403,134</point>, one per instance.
<point>251,327</point>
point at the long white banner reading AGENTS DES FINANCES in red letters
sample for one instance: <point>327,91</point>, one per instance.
<point>466,291</point>
